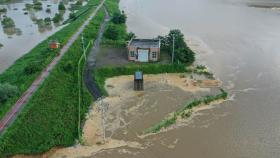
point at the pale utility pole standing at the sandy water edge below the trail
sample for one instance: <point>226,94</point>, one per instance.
<point>103,107</point>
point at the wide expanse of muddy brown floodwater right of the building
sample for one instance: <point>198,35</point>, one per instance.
<point>241,45</point>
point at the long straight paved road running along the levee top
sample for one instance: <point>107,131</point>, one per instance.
<point>11,115</point>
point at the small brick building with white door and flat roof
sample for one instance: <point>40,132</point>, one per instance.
<point>144,50</point>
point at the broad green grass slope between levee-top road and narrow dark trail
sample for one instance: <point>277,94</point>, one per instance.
<point>50,118</point>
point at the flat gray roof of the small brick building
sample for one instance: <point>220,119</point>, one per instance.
<point>145,43</point>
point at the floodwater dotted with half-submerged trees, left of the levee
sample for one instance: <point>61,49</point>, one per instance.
<point>27,34</point>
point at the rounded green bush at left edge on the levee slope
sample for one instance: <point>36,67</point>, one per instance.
<point>7,91</point>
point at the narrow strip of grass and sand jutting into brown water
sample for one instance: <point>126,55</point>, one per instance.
<point>186,111</point>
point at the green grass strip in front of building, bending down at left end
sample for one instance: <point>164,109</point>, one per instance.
<point>101,74</point>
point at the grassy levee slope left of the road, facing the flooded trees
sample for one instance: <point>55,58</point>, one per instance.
<point>24,71</point>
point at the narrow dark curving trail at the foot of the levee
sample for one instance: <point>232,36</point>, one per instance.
<point>91,60</point>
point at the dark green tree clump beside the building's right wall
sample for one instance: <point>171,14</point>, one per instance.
<point>182,53</point>
